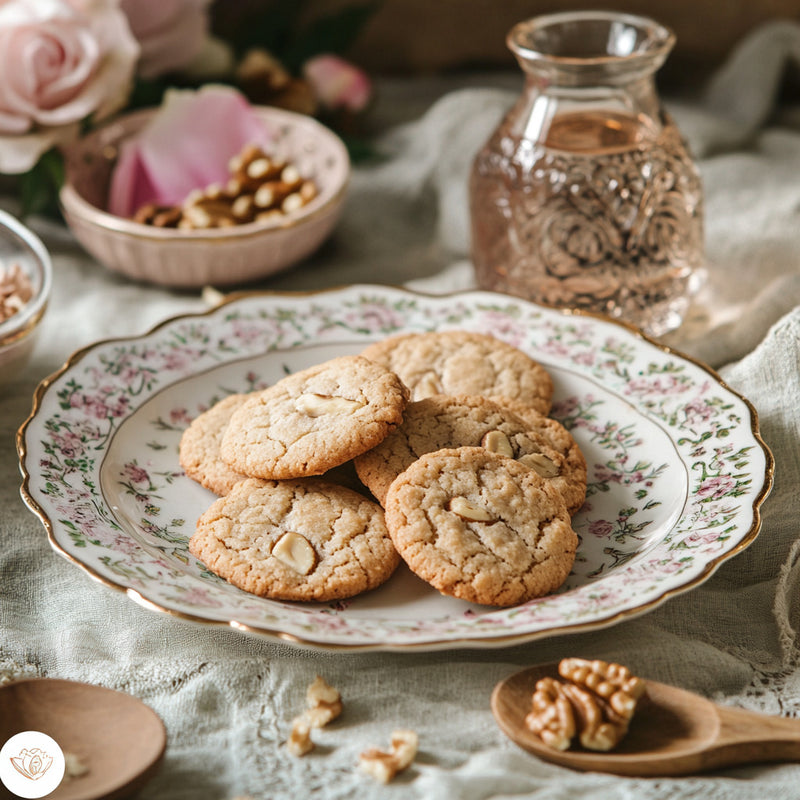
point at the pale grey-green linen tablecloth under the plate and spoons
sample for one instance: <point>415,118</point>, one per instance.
<point>227,698</point>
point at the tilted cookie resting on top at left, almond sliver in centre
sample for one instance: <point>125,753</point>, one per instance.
<point>314,420</point>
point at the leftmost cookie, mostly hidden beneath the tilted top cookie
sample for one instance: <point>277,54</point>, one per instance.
<point>199,449</point>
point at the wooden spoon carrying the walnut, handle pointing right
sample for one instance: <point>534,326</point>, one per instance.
<point>674,732</point>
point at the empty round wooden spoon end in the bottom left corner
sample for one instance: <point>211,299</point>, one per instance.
<point>117,738</point>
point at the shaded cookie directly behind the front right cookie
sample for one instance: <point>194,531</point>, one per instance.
<point>450,421</point>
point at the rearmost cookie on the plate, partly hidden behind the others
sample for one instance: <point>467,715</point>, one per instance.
<point>463,362</point>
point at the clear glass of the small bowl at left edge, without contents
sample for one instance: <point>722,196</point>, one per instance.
<point>19,245</point>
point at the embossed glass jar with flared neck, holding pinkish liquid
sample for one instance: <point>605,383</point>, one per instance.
<point>586,195</point>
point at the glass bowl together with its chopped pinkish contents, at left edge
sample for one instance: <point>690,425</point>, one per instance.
<point>26,275</point>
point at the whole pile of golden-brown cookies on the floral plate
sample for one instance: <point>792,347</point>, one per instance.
<point>471,483</point>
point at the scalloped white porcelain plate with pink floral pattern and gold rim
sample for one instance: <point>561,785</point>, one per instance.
<point>677,469</point>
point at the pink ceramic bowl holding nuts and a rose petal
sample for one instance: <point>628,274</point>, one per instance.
<point>216,257</point>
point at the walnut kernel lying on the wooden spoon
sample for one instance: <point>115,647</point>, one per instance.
<point>595,702</point>
